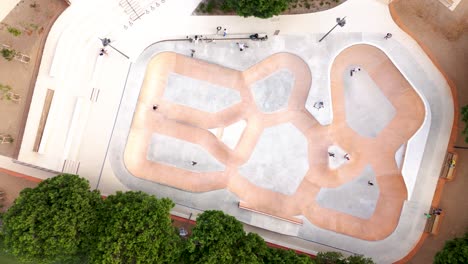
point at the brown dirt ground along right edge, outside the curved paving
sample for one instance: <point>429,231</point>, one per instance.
<point>445,34</point>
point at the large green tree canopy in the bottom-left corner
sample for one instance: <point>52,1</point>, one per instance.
<point>51,222</point>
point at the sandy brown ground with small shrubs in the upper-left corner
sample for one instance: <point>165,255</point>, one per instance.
<point>34,23</point>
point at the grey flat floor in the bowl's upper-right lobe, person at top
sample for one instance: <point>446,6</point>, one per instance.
<point>368,111</point>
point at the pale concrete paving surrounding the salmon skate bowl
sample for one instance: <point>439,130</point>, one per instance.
<point>71,60</point>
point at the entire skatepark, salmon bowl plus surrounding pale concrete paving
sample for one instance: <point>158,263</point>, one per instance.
<point>317,146</point>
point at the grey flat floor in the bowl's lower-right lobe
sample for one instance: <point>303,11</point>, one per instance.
<point>356,197</point>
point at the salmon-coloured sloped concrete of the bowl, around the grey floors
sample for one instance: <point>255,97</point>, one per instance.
<point>190,125</point>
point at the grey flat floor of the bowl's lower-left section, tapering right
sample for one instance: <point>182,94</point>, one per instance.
<point>179,153</point>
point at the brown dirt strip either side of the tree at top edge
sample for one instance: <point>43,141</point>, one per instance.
<point>214,7</point>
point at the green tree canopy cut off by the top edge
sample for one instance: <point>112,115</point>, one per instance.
<point>257,8</point>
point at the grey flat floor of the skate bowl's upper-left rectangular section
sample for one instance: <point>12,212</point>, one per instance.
<point>199,94</point>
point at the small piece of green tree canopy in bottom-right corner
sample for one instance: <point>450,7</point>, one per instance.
<point>454,252</point>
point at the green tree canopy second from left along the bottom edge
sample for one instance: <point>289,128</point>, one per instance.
<point>135,227</point>
